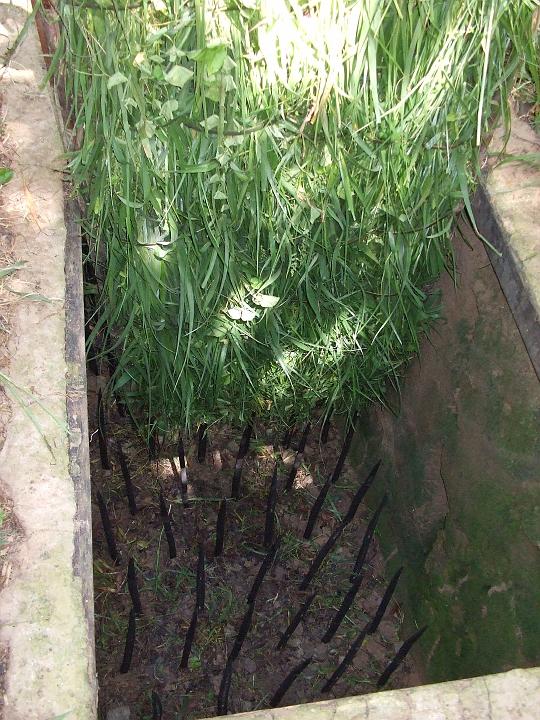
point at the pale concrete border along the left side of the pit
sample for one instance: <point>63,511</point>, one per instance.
<point>46,609</point>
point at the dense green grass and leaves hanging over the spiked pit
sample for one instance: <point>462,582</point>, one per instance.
<point>271,185</point>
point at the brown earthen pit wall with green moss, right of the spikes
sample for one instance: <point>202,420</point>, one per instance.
<point>461,464</point>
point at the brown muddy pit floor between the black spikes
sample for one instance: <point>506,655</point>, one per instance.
<point>167,587</point>
